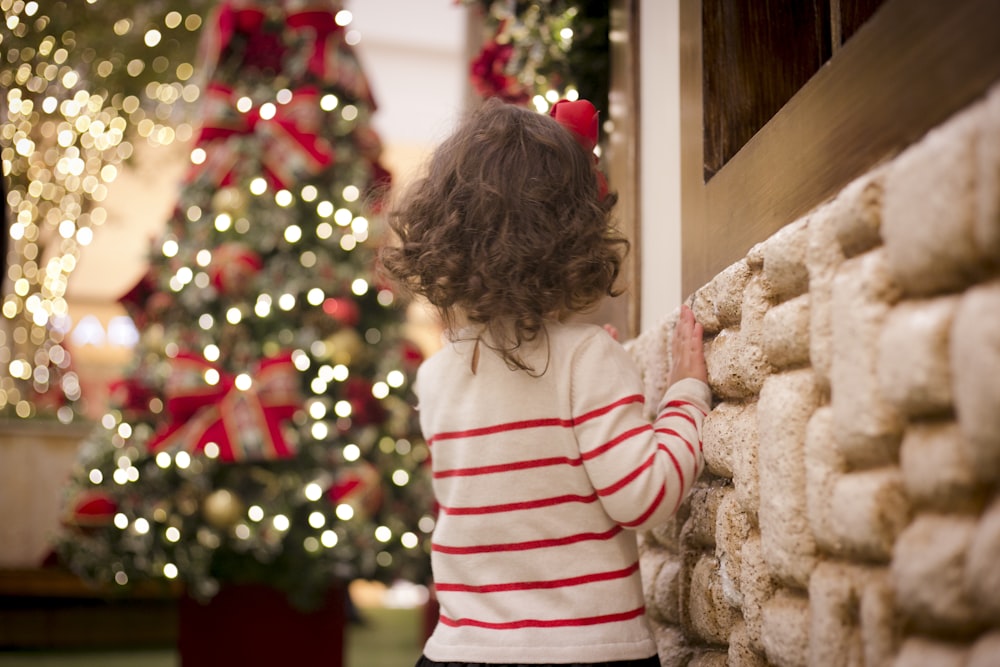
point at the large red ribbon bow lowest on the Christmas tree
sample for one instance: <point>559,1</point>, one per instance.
<point>245,424</point>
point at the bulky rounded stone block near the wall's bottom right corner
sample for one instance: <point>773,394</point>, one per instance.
<point>928,573</point>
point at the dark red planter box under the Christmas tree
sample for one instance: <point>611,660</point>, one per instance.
<point>250,625</point>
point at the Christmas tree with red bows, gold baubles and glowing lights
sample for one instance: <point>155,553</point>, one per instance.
<point>264,431</point>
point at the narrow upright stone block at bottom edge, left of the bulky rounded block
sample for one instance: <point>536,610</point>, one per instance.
<point>878,617</point>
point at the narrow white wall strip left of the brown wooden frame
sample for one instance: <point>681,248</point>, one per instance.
<point>660,176</point>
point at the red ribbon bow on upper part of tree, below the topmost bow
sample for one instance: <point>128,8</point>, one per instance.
<point>292,147</point>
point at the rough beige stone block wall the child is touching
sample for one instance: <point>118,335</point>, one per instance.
<point>850,513</point>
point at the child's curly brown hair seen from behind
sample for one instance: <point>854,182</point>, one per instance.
<point>507,228</point>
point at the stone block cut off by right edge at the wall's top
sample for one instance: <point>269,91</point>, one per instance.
<point>987,222</point>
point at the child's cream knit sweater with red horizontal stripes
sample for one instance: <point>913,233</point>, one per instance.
<point>540,483</point>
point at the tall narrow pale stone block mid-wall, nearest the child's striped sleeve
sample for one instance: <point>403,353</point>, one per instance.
<point>787,401</point>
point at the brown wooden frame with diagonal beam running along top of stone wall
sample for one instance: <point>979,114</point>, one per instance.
<point>907,70</point>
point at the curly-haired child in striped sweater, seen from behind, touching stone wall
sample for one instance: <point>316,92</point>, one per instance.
<point>543,463</point>
